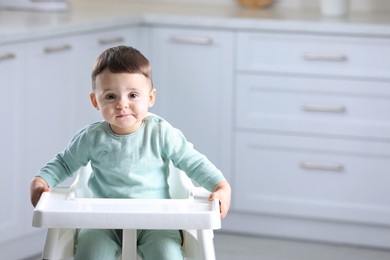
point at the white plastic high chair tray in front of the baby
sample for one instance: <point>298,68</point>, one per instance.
<point>54,210</point>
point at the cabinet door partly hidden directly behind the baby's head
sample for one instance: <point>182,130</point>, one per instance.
<point>89,48</point>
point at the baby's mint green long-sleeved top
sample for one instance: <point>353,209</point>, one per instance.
<point>134,165</point>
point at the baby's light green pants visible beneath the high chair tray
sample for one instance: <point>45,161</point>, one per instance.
<point>106,244</point>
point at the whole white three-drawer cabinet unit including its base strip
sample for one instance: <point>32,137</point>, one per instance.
<point>312,137</point>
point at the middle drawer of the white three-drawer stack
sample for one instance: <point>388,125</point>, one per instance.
<point>311,105</point>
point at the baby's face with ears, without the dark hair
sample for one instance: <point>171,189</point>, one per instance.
<point>123,99</point>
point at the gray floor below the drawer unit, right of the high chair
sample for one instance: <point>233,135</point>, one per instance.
<point>229,247</point>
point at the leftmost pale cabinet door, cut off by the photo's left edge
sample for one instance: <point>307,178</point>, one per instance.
<point>11,69</point>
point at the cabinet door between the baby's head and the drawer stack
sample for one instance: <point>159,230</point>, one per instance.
<point>193,77</point>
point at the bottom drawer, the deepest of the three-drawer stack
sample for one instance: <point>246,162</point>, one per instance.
<point>313,178</point>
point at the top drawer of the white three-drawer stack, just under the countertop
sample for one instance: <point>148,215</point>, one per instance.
<point>314,54</point>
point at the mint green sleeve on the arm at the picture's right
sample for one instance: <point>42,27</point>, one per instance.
<point>185,157</point>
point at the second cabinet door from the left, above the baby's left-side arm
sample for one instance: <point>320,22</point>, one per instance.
<point>48,100</point>
